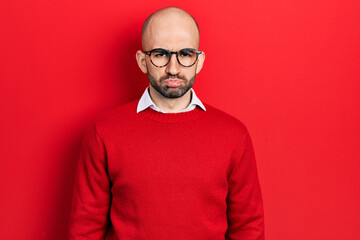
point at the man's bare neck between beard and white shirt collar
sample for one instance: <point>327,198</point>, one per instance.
<point>170,105</point>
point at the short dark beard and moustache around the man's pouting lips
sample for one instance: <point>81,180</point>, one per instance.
<point>171,92</point>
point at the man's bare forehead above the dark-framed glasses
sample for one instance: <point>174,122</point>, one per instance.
<point>172,32</point>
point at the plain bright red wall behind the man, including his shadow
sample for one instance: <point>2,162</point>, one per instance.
<point>288,69</point>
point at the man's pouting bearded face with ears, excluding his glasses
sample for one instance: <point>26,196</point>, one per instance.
<point>173,33</point>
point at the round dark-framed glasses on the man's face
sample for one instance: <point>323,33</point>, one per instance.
<point>186,57</point>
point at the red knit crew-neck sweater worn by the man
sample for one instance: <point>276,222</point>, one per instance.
<point>156,176</point>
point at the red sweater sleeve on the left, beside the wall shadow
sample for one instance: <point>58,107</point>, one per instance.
<point>90,206</point>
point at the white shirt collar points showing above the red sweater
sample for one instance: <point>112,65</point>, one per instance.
<point>145,102</point>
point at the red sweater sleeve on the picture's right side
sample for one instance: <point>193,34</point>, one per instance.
<point>244,200</point>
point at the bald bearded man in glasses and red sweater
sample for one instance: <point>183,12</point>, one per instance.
<point>167,166</point>
